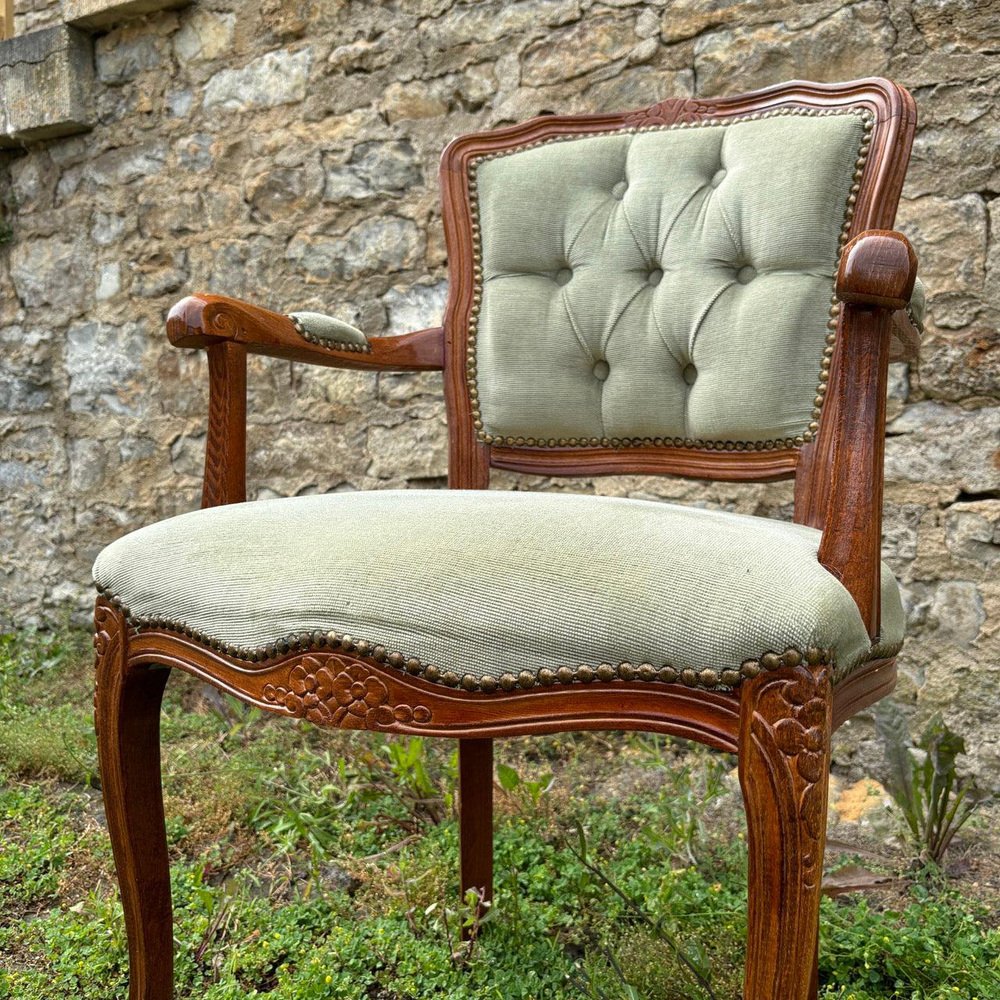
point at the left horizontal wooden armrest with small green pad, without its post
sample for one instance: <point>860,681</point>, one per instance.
<point>207,320</point>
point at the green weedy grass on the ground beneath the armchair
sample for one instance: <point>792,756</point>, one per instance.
<point>311,864</point>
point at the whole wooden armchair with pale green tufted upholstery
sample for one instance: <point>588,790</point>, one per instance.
<point>697,289</point>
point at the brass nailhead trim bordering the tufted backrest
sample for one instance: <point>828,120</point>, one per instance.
<point>795,441</point>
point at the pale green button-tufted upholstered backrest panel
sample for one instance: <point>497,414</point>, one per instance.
<point>668,284</point>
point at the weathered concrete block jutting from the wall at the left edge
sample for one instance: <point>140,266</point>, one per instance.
<point>46,84</point>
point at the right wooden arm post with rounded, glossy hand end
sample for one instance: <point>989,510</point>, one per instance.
<point>876,276</point>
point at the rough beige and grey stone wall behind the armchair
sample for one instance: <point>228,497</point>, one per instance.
<point>286,153</point>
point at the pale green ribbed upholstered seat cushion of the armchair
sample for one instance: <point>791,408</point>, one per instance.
<point>487,585</point>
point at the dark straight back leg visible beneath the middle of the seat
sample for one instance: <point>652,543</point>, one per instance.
<point>475,816</point>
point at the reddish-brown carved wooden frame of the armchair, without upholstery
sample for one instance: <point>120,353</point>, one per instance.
<point>779,721</point>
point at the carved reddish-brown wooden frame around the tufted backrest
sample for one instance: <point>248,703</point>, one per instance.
<point>470,459</point>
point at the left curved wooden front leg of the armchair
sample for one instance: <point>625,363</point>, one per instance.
<point>127,717</point>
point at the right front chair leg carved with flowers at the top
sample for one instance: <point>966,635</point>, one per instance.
<point>784,764</point>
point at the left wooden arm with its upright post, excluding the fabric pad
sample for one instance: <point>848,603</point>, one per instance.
<point>228,329</point>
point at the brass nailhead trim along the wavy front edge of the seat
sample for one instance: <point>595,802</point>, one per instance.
<point>363,649</point>
